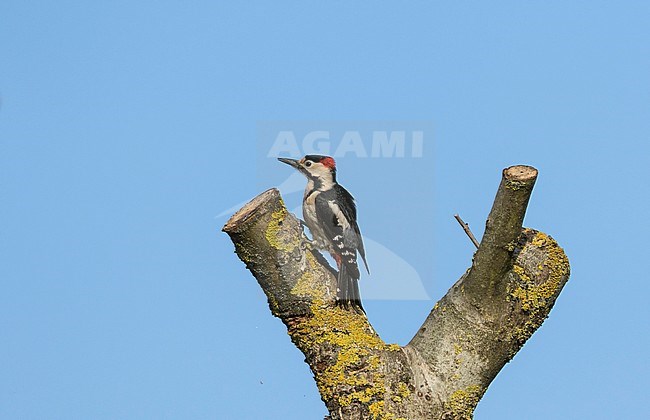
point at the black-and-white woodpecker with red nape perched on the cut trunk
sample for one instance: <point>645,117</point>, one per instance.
<point>331,216</point>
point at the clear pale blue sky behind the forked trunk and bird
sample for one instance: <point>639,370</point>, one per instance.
<point>127,128</point>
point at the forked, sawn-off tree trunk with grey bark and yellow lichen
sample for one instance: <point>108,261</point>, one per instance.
<point>471,333</point>
